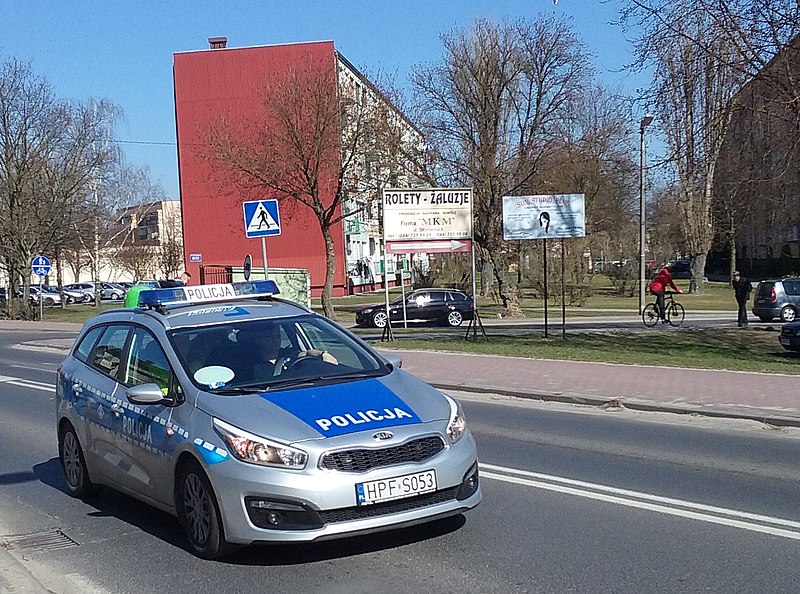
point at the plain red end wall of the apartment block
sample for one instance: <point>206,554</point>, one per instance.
<point>211,83</point>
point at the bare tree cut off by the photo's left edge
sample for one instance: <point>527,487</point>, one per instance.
<point>49,152</point>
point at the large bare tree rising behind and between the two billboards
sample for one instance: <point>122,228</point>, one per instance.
<point>492,108</point>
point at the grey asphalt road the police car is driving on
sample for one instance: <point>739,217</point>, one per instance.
<point>575,500</point>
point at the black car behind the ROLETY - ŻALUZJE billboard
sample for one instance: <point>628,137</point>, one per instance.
<point>449,307</point>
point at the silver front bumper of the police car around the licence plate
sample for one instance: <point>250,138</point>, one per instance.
<point>275,505</point>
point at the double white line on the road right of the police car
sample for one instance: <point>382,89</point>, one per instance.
<point>664,505</point>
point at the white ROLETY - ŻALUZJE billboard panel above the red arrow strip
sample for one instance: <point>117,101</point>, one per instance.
<point>422,214</point>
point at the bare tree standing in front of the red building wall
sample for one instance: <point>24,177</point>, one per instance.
<point>307,147</point>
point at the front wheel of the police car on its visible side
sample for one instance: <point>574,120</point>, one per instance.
<point>198,513</point>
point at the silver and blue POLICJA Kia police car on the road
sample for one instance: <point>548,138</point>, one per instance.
<point>251,418</point>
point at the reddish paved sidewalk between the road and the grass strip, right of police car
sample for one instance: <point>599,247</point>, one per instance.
<point>771,398</point>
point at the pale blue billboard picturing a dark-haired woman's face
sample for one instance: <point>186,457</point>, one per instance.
<point>544,216</point>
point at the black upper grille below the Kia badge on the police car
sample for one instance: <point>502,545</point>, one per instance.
<point>365,459</point>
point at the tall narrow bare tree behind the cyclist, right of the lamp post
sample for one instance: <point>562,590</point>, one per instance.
<point>693,94</point>
